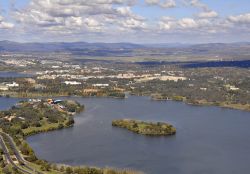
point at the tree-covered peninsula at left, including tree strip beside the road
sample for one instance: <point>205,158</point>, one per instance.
<point>27,115</point>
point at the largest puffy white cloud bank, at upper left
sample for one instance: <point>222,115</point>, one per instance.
<point>79,16</point>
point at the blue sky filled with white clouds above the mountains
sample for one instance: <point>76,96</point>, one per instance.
<point>136,21</point>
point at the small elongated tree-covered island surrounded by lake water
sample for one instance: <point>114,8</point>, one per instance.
<point>145,128</point>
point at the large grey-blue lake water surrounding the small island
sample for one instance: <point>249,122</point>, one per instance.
<point>209,140</point>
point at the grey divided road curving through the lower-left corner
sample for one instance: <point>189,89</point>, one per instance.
<point>19,157</point>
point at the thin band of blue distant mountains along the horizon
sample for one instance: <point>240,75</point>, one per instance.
<point>10,46</point>
